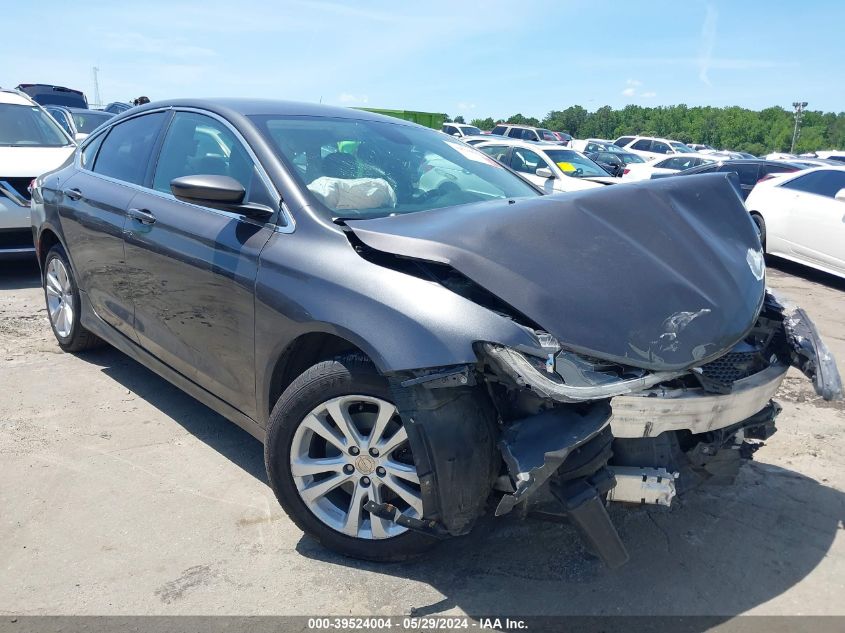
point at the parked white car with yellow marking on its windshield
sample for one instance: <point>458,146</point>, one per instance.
<point>549,166</point>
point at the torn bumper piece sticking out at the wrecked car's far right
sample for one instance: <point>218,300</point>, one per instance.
<point>811,355</point>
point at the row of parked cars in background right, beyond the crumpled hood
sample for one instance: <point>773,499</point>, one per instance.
<point>795,201</point>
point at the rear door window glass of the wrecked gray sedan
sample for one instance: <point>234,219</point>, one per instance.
<point>125,152</point>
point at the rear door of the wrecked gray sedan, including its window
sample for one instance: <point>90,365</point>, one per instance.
<point>93,207</point>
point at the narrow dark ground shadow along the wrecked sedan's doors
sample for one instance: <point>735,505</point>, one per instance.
<point>206,425</point>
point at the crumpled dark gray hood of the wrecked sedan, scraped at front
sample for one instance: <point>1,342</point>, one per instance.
<point>663,274</point>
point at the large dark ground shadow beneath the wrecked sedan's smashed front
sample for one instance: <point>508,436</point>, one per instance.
<point>719,551</point>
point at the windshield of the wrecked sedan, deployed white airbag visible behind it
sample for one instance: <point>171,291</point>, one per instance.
<point>366,169</point>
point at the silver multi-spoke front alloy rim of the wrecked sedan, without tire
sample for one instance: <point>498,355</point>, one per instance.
<point>349,450</point>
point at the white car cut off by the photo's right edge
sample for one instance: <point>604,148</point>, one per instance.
<point>801,217</point>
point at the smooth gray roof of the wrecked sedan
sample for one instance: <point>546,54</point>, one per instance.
<point>226,106</point>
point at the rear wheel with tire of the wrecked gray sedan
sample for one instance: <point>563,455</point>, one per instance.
<point>64,305</point>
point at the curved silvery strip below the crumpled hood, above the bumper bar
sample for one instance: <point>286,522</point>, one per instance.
<point>524,373</point>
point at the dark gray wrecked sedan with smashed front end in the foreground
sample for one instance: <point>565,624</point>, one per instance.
<point>412,328</point>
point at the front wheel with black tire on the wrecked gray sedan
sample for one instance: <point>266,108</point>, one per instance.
<point>334,441</point>
